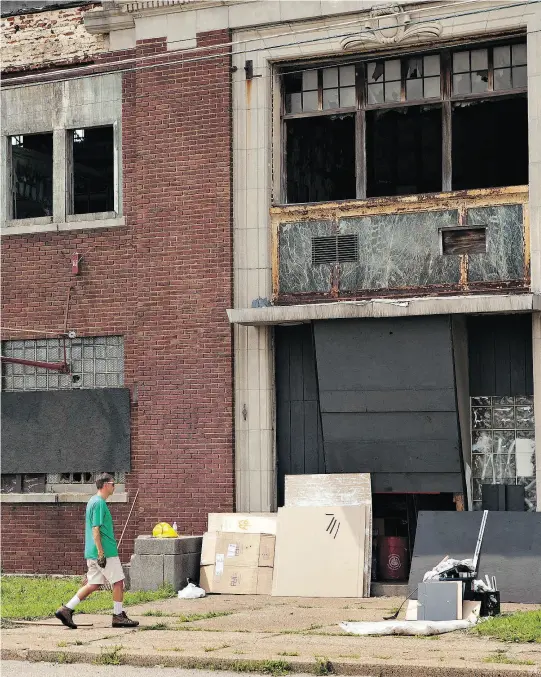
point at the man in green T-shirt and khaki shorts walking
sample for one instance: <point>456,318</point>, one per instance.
<point>102,559</point>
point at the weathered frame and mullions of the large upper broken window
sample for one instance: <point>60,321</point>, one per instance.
<point>446,100</point>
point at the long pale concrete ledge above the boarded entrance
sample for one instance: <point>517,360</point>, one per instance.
<point>504,303</point>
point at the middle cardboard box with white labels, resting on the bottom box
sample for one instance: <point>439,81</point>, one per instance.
<point>246,550</point>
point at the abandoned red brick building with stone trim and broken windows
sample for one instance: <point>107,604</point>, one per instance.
<point>250,239</point>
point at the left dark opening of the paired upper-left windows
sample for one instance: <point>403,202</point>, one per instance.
<point>32,170</point>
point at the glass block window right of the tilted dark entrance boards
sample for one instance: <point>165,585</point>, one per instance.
<point>503,445</point>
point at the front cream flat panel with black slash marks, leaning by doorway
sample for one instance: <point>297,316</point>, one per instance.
<point>320,552</point>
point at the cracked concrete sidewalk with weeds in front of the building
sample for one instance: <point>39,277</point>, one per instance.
<point>264,634</point>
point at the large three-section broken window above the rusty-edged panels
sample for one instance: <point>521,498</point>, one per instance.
<point>431,122</point>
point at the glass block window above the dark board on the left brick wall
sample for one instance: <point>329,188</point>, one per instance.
<point>95,361</point>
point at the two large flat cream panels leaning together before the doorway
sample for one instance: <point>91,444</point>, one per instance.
<point>324,537</point>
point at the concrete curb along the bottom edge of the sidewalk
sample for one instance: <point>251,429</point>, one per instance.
<point>243,665</point>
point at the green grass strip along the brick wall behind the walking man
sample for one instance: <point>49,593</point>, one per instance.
<point>28,598</point>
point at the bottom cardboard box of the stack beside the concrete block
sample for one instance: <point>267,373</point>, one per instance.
<point>235,580</point>
